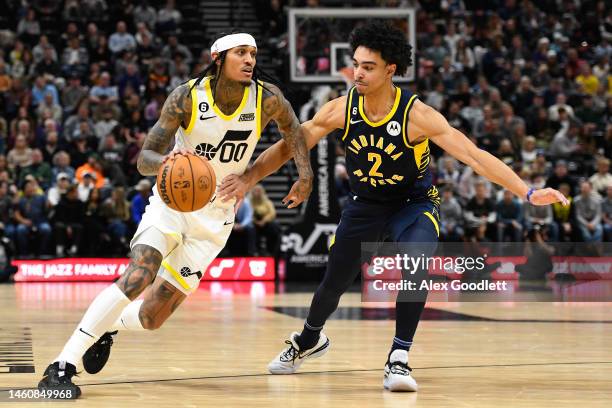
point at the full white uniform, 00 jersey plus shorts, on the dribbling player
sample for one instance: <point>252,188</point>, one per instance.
<point>194,239</point>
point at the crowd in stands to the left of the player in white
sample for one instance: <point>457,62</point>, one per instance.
<point>75,107</point>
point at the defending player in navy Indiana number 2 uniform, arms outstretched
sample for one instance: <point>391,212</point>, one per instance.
<point>386,136</point>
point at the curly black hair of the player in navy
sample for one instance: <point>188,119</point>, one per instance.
<point>389,41</point>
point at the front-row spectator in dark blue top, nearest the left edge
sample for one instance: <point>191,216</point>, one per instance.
<point>31,217</point>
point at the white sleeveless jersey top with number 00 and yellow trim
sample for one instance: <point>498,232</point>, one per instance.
<point>227,141</point>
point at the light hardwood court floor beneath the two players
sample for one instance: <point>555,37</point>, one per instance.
<point>214,352</point>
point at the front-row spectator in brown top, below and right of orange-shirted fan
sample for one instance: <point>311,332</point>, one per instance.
<point>116,211</point>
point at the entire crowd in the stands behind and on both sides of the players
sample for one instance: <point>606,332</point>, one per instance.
<point>527,81</point>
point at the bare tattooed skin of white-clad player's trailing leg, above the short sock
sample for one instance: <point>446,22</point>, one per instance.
<point>159,303</point>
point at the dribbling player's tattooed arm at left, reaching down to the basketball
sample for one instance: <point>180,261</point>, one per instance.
<point>176,111</point>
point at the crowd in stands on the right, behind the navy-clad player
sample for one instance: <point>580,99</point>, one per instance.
<point>528,82</point>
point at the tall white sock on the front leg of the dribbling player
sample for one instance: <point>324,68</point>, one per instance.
<point>98,318</point>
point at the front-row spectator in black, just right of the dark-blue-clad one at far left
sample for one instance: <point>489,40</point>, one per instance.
<point>68,222</point>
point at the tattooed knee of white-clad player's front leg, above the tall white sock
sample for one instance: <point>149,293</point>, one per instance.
<point>144,264</point>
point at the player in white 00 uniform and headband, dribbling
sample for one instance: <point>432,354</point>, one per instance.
<point>219,117</point>
